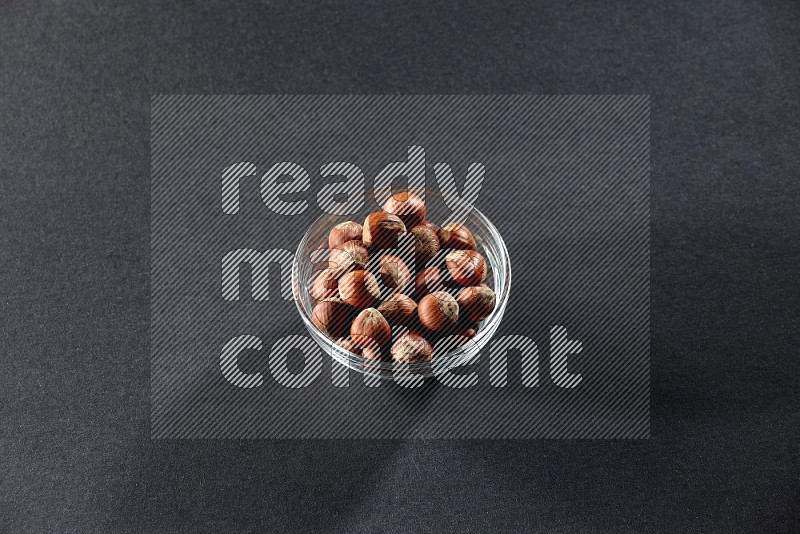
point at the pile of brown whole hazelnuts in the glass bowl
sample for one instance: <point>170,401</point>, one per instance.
<point>368,303</point>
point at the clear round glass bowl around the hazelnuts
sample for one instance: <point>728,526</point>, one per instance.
<point>312,250</point>
